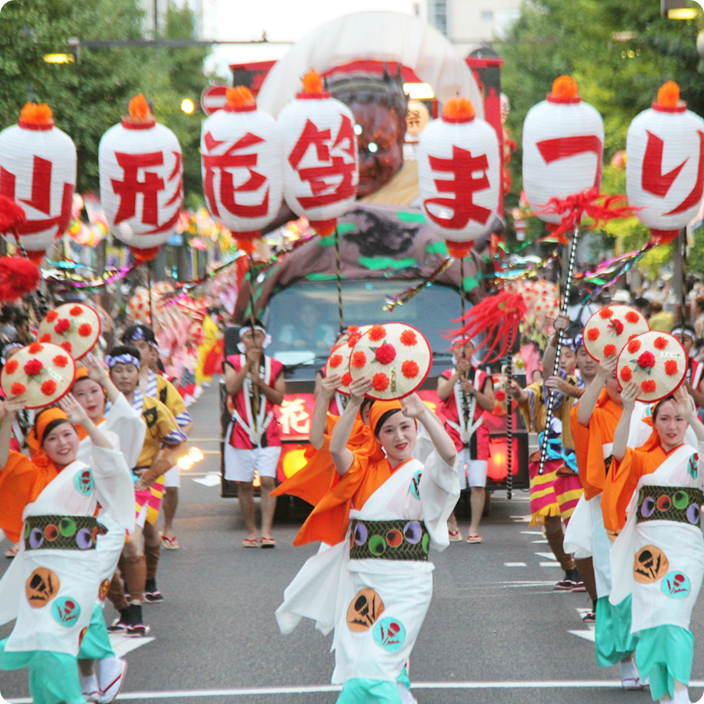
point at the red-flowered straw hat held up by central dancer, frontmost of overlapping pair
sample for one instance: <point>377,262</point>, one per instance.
<point>396,357</point>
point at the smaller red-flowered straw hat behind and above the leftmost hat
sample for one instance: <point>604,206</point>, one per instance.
<point>73,326</point>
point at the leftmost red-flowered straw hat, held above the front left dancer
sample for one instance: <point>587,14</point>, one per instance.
<point>41,371</point>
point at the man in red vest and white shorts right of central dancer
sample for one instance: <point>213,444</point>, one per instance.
<point>466,392</point>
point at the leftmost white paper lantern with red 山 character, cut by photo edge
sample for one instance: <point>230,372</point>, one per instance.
<point>38,170</point>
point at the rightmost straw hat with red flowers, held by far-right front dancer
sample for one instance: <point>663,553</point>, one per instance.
<point>656,361</point>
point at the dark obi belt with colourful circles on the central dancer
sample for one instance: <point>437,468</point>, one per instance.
<point>389,540</point>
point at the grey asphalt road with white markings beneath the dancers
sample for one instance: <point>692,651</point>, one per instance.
<point>496,632</point>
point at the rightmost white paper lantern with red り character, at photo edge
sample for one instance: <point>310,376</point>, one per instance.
<point>665,165</point>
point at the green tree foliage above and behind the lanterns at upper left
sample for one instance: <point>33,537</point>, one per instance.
<point>90,95</point>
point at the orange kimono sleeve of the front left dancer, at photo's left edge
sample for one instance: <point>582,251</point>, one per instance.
<point>20,484</point>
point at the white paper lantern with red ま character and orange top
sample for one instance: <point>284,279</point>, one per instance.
<point>459,175</point>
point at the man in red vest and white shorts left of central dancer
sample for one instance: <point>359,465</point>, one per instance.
<point>256,386</point>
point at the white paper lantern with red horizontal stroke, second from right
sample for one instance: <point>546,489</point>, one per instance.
<point>563,146</point>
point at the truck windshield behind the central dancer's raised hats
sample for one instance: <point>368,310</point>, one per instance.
<point>303,319</point>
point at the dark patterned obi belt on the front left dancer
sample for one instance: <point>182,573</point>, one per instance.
<point>62,532</point>
